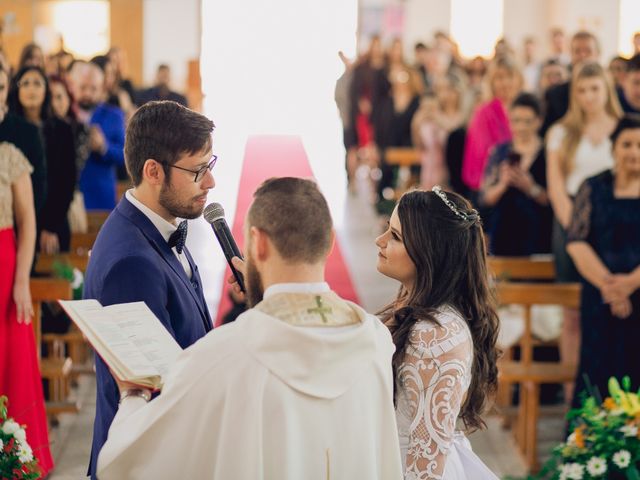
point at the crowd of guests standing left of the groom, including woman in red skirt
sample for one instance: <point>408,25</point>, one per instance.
<point>62,127</point>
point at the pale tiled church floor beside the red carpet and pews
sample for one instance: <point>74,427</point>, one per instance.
<point>71,440</point>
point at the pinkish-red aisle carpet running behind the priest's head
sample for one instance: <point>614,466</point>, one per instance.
<point>279,156</point>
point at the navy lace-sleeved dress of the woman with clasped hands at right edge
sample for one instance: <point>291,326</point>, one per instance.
<point>611,226</point>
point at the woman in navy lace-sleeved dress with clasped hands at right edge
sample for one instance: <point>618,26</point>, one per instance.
<point>604,243</point>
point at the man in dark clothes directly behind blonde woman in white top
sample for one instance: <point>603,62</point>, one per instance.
<point>584,48</point>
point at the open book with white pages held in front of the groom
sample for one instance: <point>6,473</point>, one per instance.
<point>129,338</point>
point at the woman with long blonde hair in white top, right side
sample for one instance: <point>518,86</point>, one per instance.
<point>578,147</point>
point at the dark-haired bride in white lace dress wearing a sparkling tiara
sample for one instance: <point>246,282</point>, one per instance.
<point>445,327</point>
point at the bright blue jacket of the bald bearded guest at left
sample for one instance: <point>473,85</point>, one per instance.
<point>98,178</point>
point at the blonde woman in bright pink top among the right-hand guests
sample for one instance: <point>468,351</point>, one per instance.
<point>489,125</point>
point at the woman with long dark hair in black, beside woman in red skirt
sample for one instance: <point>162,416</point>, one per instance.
<point>30,98</point>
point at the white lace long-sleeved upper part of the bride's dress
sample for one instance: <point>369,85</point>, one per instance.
<point>433,382</point>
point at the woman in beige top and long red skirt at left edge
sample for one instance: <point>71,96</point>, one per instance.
<point>19,372</point>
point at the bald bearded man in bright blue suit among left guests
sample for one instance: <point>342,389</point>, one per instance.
<point>106,137</point>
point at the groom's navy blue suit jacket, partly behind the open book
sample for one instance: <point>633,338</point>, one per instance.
<point>131,262</point>
